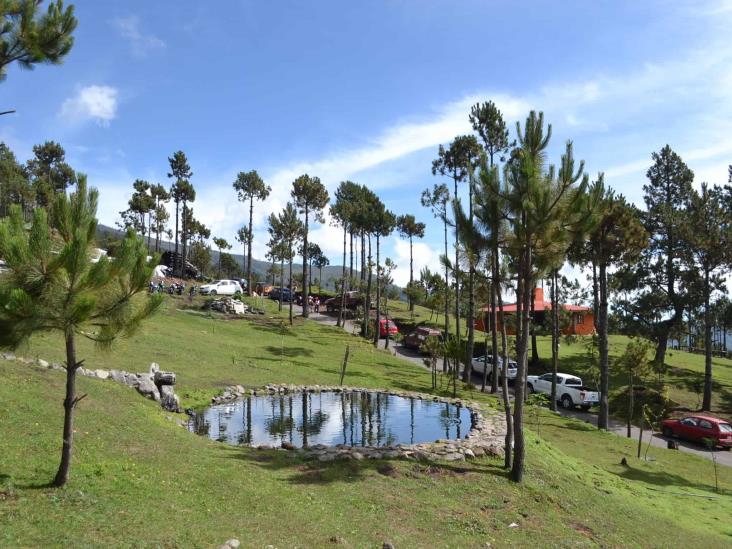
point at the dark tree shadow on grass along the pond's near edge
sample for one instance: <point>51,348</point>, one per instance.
<point>313,472</point>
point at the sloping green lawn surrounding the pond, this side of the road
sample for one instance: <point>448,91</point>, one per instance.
<point>140,480</point>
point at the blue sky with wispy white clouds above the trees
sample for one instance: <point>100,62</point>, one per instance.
<point>366,91</point>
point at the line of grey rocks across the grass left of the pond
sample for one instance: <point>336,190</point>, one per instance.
<point>154,384</point>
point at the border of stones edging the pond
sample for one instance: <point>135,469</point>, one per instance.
<point>486,436</point>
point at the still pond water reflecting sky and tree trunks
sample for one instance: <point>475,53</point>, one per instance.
<point>351,418</point>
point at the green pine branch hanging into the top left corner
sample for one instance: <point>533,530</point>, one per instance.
<point>29,38</point>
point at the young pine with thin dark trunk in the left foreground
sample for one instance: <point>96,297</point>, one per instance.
<point>53,286</point>
